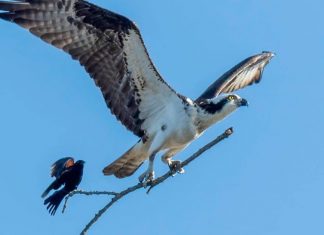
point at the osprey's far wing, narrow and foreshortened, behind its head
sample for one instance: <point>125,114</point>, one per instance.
<point>247,72</point>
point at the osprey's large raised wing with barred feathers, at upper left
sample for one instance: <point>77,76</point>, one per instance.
<point>110,48</point>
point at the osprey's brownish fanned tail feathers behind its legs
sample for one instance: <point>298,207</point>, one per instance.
<point>128,163</point>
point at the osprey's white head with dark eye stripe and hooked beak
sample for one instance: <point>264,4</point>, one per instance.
<point>223,104</point>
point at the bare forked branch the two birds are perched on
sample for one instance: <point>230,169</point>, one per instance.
<point>151,185</point>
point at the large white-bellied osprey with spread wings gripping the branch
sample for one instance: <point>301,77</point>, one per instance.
<point>110,48</point>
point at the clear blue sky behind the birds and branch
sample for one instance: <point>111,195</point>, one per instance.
<point>266,179</point>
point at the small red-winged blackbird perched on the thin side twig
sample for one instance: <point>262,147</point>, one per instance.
<point>67,173</point>
